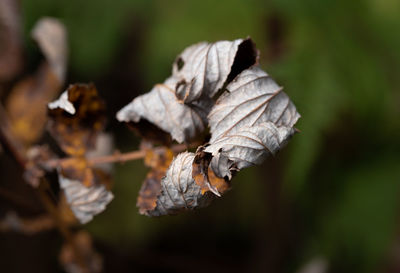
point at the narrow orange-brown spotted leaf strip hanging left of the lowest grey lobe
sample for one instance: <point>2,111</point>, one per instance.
<point>158,160</point>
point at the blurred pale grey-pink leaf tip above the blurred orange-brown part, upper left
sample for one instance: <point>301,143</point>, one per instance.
<point>51,36</point>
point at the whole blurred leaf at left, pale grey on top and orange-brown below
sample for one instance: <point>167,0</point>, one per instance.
<point>26,104</point>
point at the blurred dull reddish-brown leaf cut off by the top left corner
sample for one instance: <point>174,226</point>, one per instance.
<point>11,56</point>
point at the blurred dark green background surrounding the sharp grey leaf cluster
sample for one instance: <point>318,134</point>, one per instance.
<point>329,199</point>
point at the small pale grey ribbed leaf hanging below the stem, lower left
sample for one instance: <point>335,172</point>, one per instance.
<point>85,202</point>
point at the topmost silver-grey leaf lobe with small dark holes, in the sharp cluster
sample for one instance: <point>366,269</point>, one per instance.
<point>203,68</point>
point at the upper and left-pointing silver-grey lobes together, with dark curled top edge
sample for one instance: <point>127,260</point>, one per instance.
<point>181,104</point>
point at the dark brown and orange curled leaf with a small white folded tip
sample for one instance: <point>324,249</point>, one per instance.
<point>77,118</point>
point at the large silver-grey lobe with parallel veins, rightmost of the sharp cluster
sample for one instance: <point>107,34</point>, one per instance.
<point>253,97</point>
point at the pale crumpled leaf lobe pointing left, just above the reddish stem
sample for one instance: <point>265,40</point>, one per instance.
<point>161,107</point>
